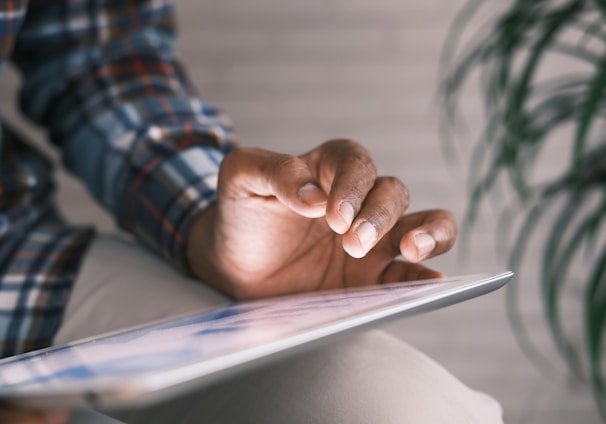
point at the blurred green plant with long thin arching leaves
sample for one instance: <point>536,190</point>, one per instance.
<point>531,102</point>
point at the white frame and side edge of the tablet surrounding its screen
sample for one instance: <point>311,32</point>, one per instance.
<point>162,384</point>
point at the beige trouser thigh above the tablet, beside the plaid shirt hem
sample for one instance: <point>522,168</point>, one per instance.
<point>121,285</point>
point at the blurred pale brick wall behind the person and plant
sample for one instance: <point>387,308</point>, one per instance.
<point>295,73</point>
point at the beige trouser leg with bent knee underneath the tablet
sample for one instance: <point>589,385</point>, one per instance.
<point>369,378</point>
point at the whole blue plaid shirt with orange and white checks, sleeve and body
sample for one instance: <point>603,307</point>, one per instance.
<point>102,77</point>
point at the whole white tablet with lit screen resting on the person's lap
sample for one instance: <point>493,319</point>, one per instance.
<point>159,361</point>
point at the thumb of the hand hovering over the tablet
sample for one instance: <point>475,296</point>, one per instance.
<point>256,172</point>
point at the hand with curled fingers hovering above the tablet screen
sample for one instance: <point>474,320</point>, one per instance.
<point>285,224</point>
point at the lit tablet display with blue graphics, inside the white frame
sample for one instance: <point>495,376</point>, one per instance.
<point>201,337</point>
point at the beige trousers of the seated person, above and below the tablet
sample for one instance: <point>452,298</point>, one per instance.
<point>369,378</point>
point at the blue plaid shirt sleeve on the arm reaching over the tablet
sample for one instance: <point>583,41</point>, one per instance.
<point>103,78</point>
